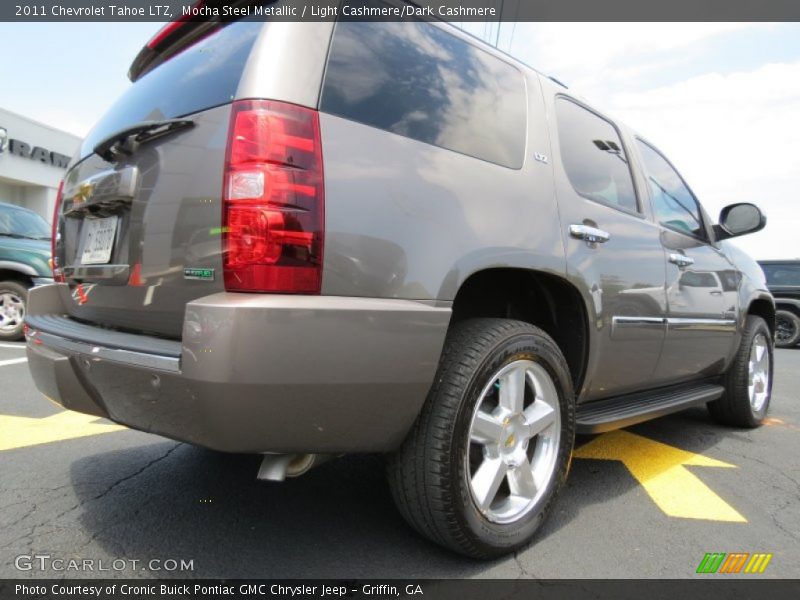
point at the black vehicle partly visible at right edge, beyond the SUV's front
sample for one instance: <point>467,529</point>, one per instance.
<point>783,279</point>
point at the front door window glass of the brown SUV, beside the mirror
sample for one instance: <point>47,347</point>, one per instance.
<point>674,204</point>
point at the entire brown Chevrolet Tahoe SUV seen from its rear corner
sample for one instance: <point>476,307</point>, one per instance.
<point>308,239</point>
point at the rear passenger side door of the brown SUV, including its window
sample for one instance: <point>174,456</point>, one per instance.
<point>614,254</point>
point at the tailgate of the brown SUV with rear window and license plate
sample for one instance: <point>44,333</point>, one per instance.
<point>140,232</point>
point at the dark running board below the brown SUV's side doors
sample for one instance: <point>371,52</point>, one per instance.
<point>605,415</point>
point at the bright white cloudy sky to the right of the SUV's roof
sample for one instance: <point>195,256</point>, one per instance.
<point>734,135</point>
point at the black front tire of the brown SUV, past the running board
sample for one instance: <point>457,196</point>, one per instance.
<point>734,407</point>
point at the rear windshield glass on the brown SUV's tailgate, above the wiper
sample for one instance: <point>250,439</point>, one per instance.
<point>204,75</point>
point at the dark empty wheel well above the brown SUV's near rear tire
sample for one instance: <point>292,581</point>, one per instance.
<point>543,299</point>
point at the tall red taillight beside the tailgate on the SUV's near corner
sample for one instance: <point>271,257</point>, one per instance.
<point>273,199</point>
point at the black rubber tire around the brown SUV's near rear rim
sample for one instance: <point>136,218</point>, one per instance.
<point>429,473</point>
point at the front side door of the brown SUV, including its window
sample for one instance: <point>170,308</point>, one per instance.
<point>702,283</point>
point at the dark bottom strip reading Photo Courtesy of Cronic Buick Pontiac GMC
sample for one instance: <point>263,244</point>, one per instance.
<point>486,589</point>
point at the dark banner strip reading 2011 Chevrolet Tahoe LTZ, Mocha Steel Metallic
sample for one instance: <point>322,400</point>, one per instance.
<point>396,10</point>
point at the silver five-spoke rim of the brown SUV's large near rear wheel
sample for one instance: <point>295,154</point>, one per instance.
<point>513,441</point>
